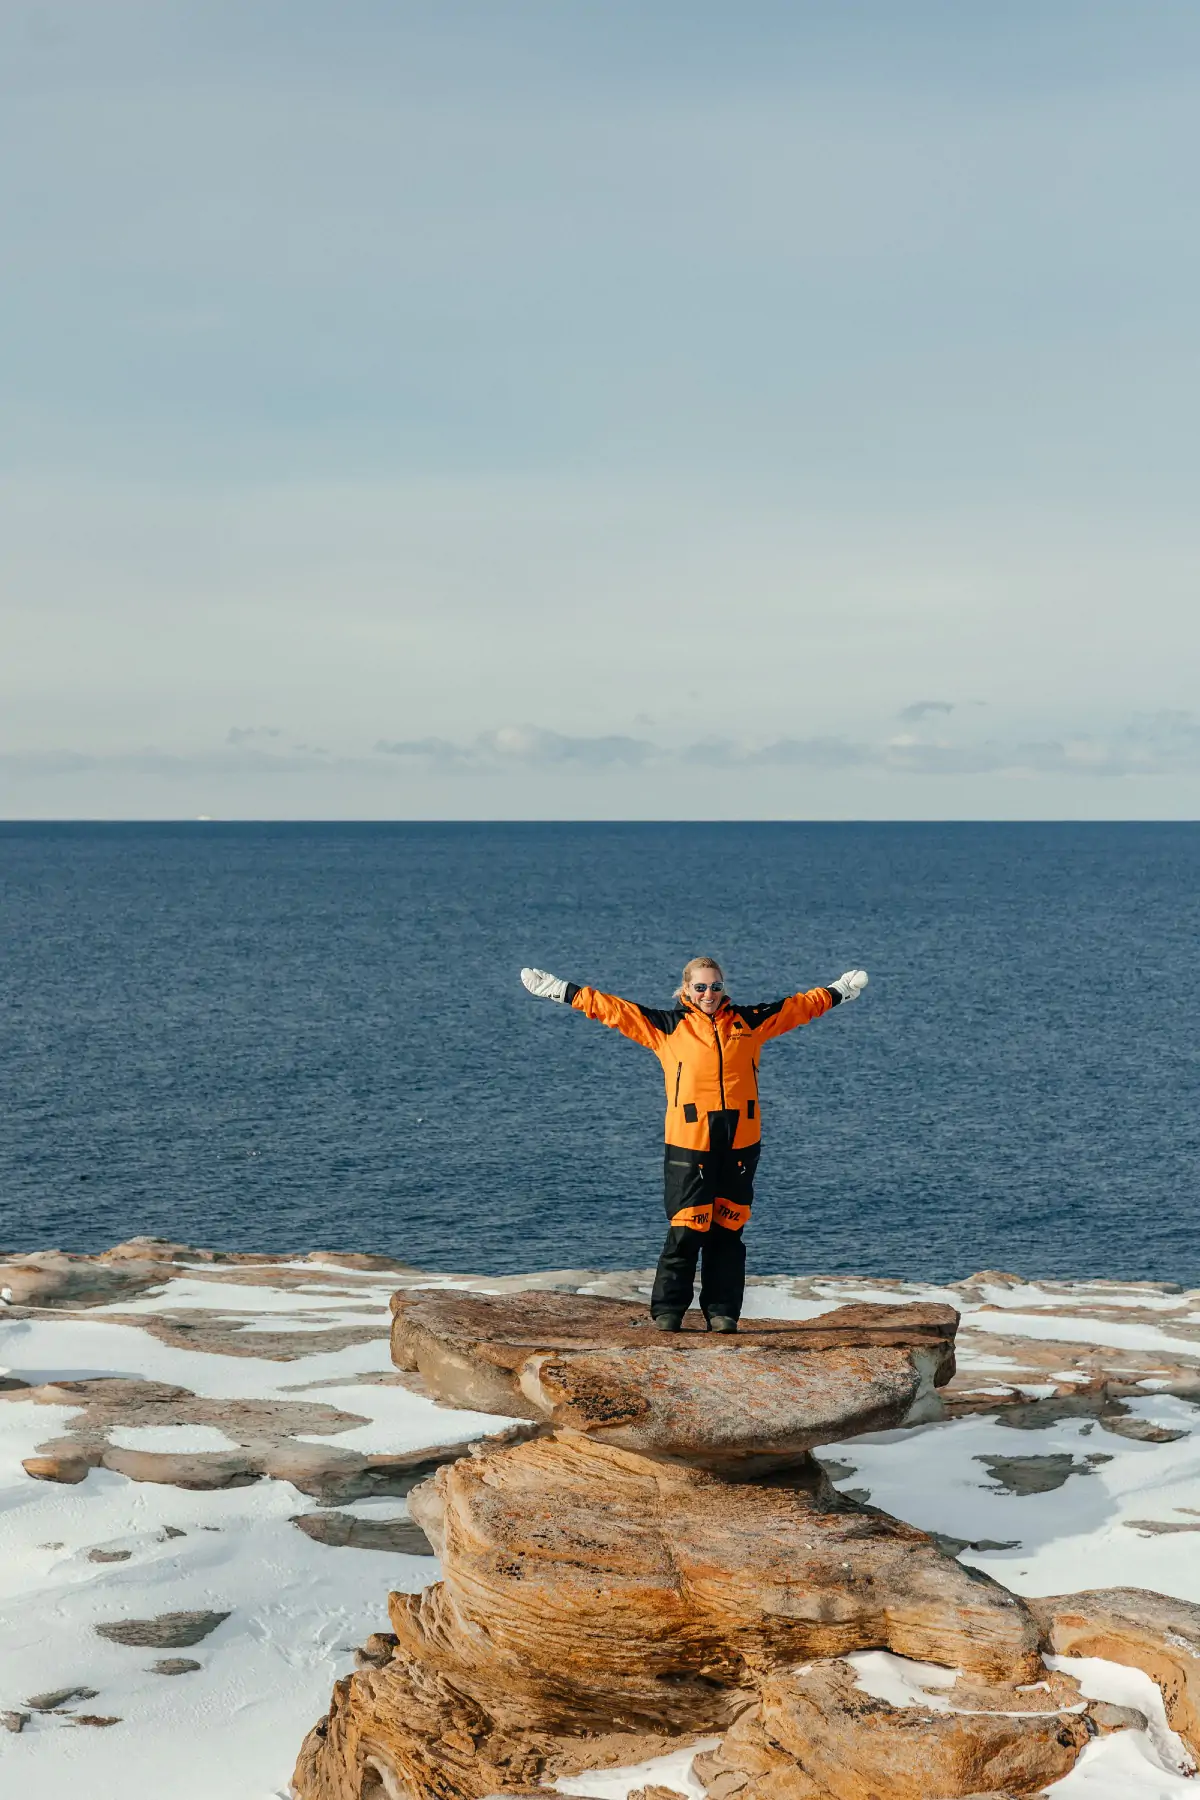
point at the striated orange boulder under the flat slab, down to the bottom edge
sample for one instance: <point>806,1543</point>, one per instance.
<point>598,1597</point>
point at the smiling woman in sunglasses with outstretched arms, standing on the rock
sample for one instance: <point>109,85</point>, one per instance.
<point>710,1054</point>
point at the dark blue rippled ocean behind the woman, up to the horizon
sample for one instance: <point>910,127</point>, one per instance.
<point>314,1036</point>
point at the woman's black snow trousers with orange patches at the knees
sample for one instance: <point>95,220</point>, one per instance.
<point>708,1198</point>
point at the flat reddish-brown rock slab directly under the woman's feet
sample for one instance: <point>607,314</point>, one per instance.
<point>740,1405</point>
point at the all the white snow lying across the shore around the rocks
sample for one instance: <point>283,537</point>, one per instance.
<point>300,1608</point>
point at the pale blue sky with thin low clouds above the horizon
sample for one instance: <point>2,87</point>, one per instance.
<point>640,409</point>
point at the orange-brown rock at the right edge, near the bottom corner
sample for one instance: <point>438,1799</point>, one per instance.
<point>1143,1630</point>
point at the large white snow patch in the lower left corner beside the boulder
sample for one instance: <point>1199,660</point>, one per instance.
<point>296,1614</point>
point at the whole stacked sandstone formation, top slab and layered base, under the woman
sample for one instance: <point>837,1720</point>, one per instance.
<point>667,1561</point>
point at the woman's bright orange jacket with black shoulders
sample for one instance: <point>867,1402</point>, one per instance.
<point>710,1063</point>
